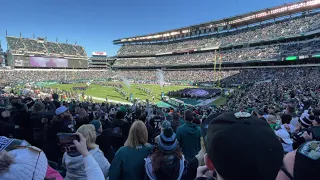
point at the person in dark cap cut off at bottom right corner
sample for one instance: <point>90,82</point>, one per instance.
<point>302,164</point>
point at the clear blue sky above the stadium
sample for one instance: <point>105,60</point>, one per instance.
<point>96,23</point>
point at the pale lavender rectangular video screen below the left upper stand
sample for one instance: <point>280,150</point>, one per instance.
<point>48,62</point>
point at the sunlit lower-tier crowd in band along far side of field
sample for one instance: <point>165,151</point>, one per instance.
<point>143,77</point>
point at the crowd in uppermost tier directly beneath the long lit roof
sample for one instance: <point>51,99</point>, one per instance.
<point>271,30</point>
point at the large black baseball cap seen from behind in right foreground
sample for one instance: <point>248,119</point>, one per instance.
<point>241,146</point>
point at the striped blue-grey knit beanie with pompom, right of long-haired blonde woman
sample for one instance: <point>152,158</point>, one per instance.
<point>167,141</point>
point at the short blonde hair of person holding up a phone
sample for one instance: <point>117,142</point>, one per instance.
<point>89,133</point>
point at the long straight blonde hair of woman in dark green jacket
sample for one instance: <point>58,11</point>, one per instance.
<point>138,135</point>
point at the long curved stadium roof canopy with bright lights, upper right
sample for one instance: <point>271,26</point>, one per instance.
<point>226,23</point>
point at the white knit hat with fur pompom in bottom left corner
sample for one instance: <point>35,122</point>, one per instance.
<point>23,163</point>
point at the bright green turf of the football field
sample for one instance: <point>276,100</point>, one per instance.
<point>103,92</point>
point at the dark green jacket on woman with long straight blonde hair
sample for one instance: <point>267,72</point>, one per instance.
<point>128,163</point>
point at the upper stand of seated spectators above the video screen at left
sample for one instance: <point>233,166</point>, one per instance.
<point>17,44</point>
